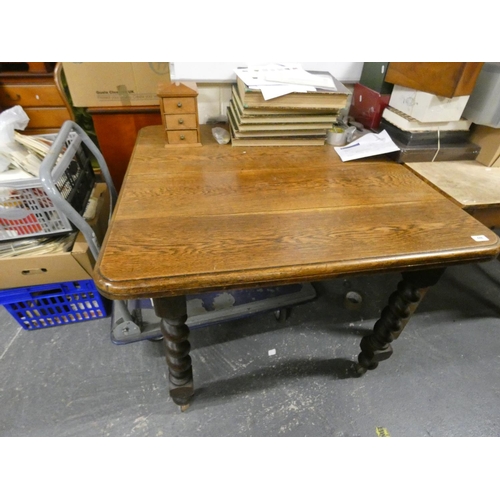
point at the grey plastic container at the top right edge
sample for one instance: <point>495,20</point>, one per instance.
<point>483,107</point>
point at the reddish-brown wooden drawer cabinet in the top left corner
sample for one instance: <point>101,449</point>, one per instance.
<point>37,88</point>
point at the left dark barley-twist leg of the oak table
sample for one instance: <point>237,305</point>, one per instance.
<point>173,314</point>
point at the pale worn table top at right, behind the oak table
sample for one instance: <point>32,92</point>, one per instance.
<point>469,183</point>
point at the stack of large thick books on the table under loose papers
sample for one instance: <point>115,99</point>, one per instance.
<point>293,119</point>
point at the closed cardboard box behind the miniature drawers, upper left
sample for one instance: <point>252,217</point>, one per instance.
<point>105,84</point>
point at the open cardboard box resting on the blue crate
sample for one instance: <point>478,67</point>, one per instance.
<point>57,267</point>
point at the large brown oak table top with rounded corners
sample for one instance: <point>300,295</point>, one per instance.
<point>217,217</point>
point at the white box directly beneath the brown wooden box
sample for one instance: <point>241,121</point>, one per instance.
<point>427,107</point>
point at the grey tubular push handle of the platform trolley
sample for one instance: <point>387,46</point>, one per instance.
<point>67,144</point>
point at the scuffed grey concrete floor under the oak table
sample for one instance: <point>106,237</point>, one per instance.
<point>443,379</point>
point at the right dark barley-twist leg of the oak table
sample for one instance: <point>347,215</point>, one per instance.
<point>376,346</point>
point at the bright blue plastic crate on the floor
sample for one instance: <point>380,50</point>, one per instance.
<point>56,304</point>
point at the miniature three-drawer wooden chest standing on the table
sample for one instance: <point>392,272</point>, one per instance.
<point>179,111</point>
